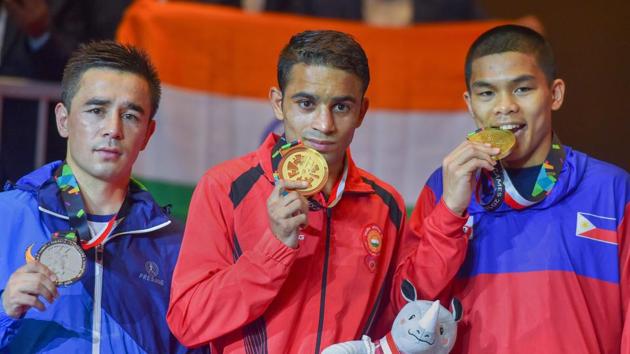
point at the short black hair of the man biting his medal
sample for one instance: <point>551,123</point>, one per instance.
<point>512,38</point>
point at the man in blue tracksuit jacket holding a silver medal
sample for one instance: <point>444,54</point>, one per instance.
<point>118,305</point>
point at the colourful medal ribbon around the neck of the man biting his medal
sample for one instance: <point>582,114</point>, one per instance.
<point>492,197</point>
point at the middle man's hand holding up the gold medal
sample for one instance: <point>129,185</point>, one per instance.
<point>287,211</point>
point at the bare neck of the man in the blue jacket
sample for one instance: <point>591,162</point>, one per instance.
<point>100,197</point>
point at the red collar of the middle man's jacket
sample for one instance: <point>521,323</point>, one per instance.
<point>354,181</point>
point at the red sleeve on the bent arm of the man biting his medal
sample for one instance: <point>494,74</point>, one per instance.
<point>433,249</point>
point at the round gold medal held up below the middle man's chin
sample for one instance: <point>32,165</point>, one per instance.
<point>301,163</point>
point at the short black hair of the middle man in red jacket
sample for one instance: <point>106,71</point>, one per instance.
<point>324,47</point>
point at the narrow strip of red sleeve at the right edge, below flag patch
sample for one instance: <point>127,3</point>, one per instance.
<point>624,281</point>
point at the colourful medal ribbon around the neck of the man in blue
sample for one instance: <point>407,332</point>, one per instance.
<point>73,203</point>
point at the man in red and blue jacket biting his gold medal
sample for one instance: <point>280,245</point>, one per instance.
<point>535,246</point>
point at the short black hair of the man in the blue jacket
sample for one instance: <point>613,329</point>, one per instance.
<point>109,55</point>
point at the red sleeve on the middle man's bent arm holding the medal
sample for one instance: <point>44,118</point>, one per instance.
<point>215,289</point>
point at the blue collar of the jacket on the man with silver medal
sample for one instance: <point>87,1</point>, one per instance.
<point>143,213</point>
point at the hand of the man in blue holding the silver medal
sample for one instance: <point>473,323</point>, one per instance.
<point>25,286</point>
